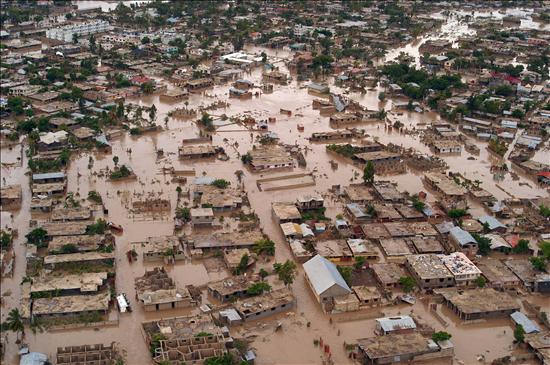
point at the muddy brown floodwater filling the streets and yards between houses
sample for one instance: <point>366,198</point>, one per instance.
<point>294,344</point>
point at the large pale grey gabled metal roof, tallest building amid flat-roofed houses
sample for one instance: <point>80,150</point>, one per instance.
<point>323,274</point>
